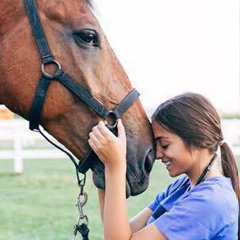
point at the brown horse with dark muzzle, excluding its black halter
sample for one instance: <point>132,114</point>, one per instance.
<point>79,44</point>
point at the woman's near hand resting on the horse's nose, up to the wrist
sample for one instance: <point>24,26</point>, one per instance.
<point>110,149</point>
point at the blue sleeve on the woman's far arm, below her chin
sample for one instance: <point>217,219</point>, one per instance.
<point>162,195</point>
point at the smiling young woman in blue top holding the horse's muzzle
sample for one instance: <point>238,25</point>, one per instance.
<point>202,205</point>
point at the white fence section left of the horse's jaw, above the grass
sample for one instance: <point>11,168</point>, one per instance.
<point>22,141</point>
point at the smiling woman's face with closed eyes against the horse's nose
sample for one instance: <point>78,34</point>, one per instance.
<point>172,151</point>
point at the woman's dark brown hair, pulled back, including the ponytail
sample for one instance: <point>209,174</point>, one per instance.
<point>193,118</point>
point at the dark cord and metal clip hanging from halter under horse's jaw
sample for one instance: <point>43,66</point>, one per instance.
<point>82,220</point>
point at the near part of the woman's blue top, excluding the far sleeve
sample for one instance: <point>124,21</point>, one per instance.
<point>208,209</point>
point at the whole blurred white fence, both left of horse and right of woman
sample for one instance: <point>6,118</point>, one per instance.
<point>24,144</point>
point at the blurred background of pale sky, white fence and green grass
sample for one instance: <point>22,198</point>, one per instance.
<point>166,48</point>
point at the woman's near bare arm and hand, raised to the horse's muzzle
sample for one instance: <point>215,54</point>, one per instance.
<point>112,152</point>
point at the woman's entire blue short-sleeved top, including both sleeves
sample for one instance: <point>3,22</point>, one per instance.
<point>209,211</point>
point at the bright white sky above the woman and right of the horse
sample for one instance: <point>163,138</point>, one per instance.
<point>168,47</point>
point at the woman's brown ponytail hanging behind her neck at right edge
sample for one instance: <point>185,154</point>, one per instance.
<point>230,169</point>
